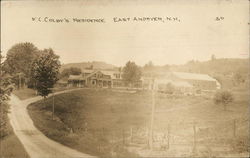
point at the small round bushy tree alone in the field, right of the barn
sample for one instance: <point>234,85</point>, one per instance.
<point>223,97</point>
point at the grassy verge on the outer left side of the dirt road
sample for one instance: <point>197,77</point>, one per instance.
<point>10,146</point>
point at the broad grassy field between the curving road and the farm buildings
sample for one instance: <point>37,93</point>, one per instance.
<point>99,122</point>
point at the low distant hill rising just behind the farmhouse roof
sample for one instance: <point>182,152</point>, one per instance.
<point>84,65</point>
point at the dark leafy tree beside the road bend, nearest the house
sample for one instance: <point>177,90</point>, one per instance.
<point>45,71</point>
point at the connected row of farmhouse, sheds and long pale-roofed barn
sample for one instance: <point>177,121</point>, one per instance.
<point>182,81</point>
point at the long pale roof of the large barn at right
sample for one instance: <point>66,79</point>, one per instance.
<point>193,76</point>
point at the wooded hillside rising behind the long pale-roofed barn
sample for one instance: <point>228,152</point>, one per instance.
<point>223,69</point>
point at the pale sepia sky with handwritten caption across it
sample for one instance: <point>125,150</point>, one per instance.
<point>196,35</point>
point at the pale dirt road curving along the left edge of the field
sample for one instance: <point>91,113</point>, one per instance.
<point>35,143</point>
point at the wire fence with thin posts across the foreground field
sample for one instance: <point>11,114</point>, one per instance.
<point>189,138</point>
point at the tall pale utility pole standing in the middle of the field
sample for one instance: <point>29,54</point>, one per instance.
<point>152,117</point>
